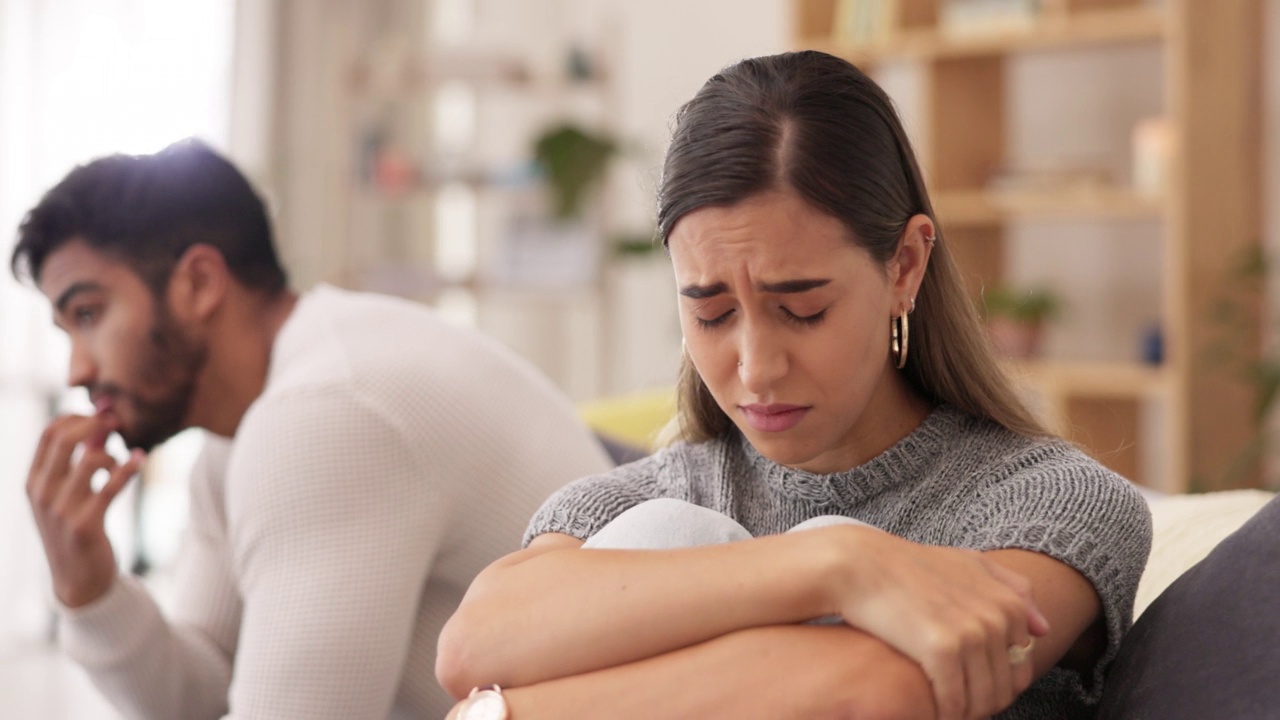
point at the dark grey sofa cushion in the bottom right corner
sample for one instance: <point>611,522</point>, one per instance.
<point>1210,645</point>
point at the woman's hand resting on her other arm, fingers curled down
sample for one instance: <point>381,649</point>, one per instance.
<point>954,612</point>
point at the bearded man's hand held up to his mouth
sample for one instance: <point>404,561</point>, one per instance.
<point>70,514</point>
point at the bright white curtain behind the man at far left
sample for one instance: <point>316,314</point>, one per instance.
<point>81,79</point>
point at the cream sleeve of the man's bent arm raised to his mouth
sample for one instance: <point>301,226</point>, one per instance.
<point>148,666</point>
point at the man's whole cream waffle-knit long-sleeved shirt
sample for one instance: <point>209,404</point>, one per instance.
<point>388,461</point>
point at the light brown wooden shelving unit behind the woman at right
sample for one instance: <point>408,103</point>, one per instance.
<point>1209,215</point>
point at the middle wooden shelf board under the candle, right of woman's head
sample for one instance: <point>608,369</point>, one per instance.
<point>973,208</point>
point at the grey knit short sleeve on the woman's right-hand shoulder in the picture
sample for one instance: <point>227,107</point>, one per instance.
<point>1059,503</point>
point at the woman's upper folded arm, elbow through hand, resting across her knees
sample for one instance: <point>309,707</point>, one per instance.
<point>554,610</point>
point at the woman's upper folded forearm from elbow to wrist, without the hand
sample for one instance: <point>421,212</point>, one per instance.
<point>554,610</point>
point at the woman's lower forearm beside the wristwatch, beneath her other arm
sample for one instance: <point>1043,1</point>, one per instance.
<point>787,672</point>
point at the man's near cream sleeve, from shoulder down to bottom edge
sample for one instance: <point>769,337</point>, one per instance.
<point>333,526</point>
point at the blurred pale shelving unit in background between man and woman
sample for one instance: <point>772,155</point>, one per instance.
<point>404,236</point>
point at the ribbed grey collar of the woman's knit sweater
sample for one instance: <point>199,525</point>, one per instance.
<point>906,462</point>
